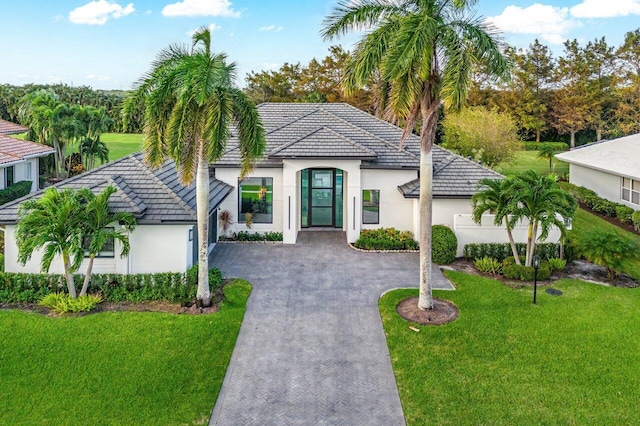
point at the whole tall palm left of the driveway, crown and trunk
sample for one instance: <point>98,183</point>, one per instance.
<point>190,103</point>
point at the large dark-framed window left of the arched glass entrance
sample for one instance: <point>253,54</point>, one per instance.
<point>256,197</point>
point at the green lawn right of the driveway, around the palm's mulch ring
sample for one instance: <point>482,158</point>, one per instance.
<point>567,360</point>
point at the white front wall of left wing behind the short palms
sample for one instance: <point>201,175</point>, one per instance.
<point>154,248</point>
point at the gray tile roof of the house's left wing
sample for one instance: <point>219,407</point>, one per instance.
<point>153,196</point>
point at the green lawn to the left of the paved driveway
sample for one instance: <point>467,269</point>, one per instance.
<point>116,368</point>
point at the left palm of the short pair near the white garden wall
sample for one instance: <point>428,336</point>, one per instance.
<point>497,197</point>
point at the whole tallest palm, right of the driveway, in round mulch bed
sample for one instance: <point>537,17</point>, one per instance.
<point>425,50</point>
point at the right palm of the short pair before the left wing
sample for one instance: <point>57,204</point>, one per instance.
<point>96,229</point>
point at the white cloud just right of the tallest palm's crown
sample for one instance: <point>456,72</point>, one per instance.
<point>550,23</point>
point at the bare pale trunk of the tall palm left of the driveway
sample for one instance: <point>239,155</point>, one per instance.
<point>202,200</point>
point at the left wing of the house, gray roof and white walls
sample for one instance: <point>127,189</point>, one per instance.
<point>165,237</point>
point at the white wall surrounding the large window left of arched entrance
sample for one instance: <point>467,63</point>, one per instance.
<point>230,176</point>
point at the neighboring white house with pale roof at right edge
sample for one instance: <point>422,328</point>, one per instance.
<point>610,168</point>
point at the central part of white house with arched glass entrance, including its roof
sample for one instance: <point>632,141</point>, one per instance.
<point>334,166</point>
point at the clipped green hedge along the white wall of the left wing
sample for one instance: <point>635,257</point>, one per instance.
<point>170,287</point>
